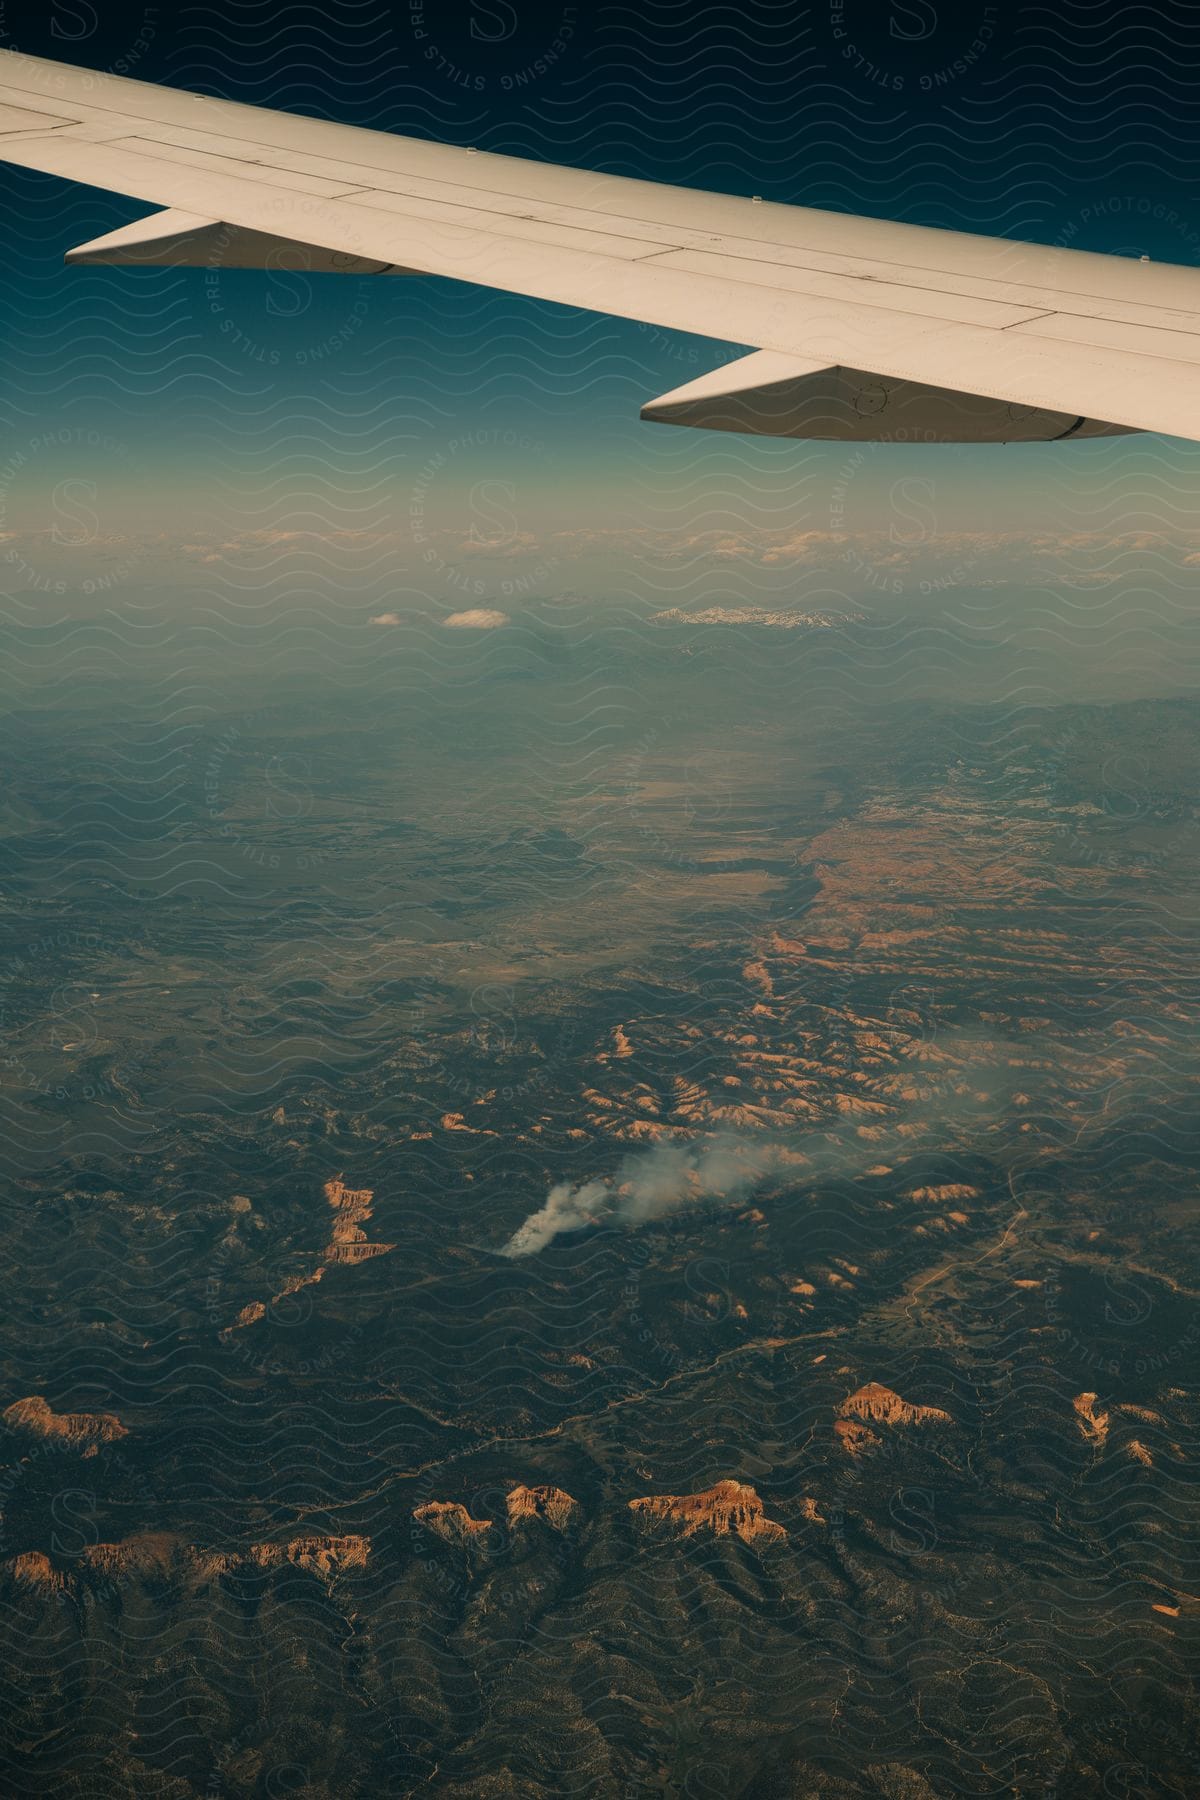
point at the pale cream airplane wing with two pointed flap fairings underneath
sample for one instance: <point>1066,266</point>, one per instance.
<point>861,328</point>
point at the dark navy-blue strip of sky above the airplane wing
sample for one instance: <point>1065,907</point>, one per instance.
<point>1003,118</point>
